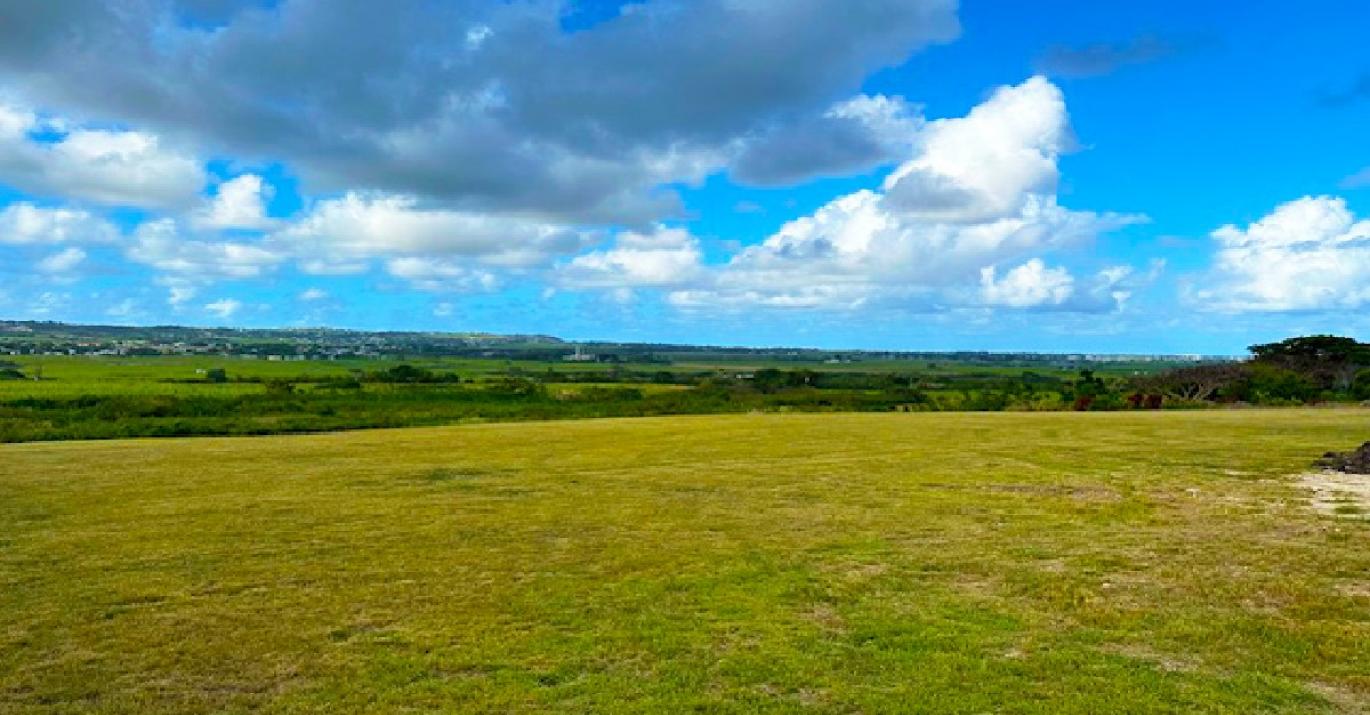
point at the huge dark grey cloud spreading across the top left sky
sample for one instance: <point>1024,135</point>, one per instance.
<point>394,97</point>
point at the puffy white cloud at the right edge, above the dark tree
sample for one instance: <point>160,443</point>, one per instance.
<point>1310,254</point>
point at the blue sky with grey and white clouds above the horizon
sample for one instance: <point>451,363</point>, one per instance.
<point>1164,177</point>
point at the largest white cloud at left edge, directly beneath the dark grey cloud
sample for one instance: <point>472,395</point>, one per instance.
<point>95,165</point>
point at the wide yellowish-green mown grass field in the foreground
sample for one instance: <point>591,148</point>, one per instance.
<point>1123,562</point>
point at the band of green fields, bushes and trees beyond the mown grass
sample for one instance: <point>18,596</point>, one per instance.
<point>84,398</point>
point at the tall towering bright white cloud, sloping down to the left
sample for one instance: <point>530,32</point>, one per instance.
<point>980,191</point>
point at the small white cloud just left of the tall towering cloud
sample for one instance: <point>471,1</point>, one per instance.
<point>665,258</point>
